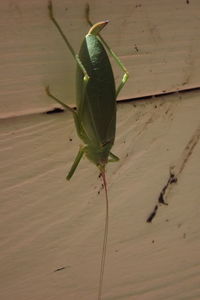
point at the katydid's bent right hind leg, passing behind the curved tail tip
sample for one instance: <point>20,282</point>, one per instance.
<point>111,52</point>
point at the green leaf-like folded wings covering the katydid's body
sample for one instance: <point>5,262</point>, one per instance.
<point>98,113</point>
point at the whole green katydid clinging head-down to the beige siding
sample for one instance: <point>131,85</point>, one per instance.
<point>95,116</point>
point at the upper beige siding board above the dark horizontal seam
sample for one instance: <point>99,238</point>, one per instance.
<point>157,40</point>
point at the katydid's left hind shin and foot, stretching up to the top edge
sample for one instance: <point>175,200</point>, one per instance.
<point>76,57</point>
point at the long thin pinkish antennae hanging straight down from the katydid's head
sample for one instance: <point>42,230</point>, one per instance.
<point>104,248</point>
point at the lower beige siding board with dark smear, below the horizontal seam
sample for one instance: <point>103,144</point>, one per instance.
<point>51,230</point>
